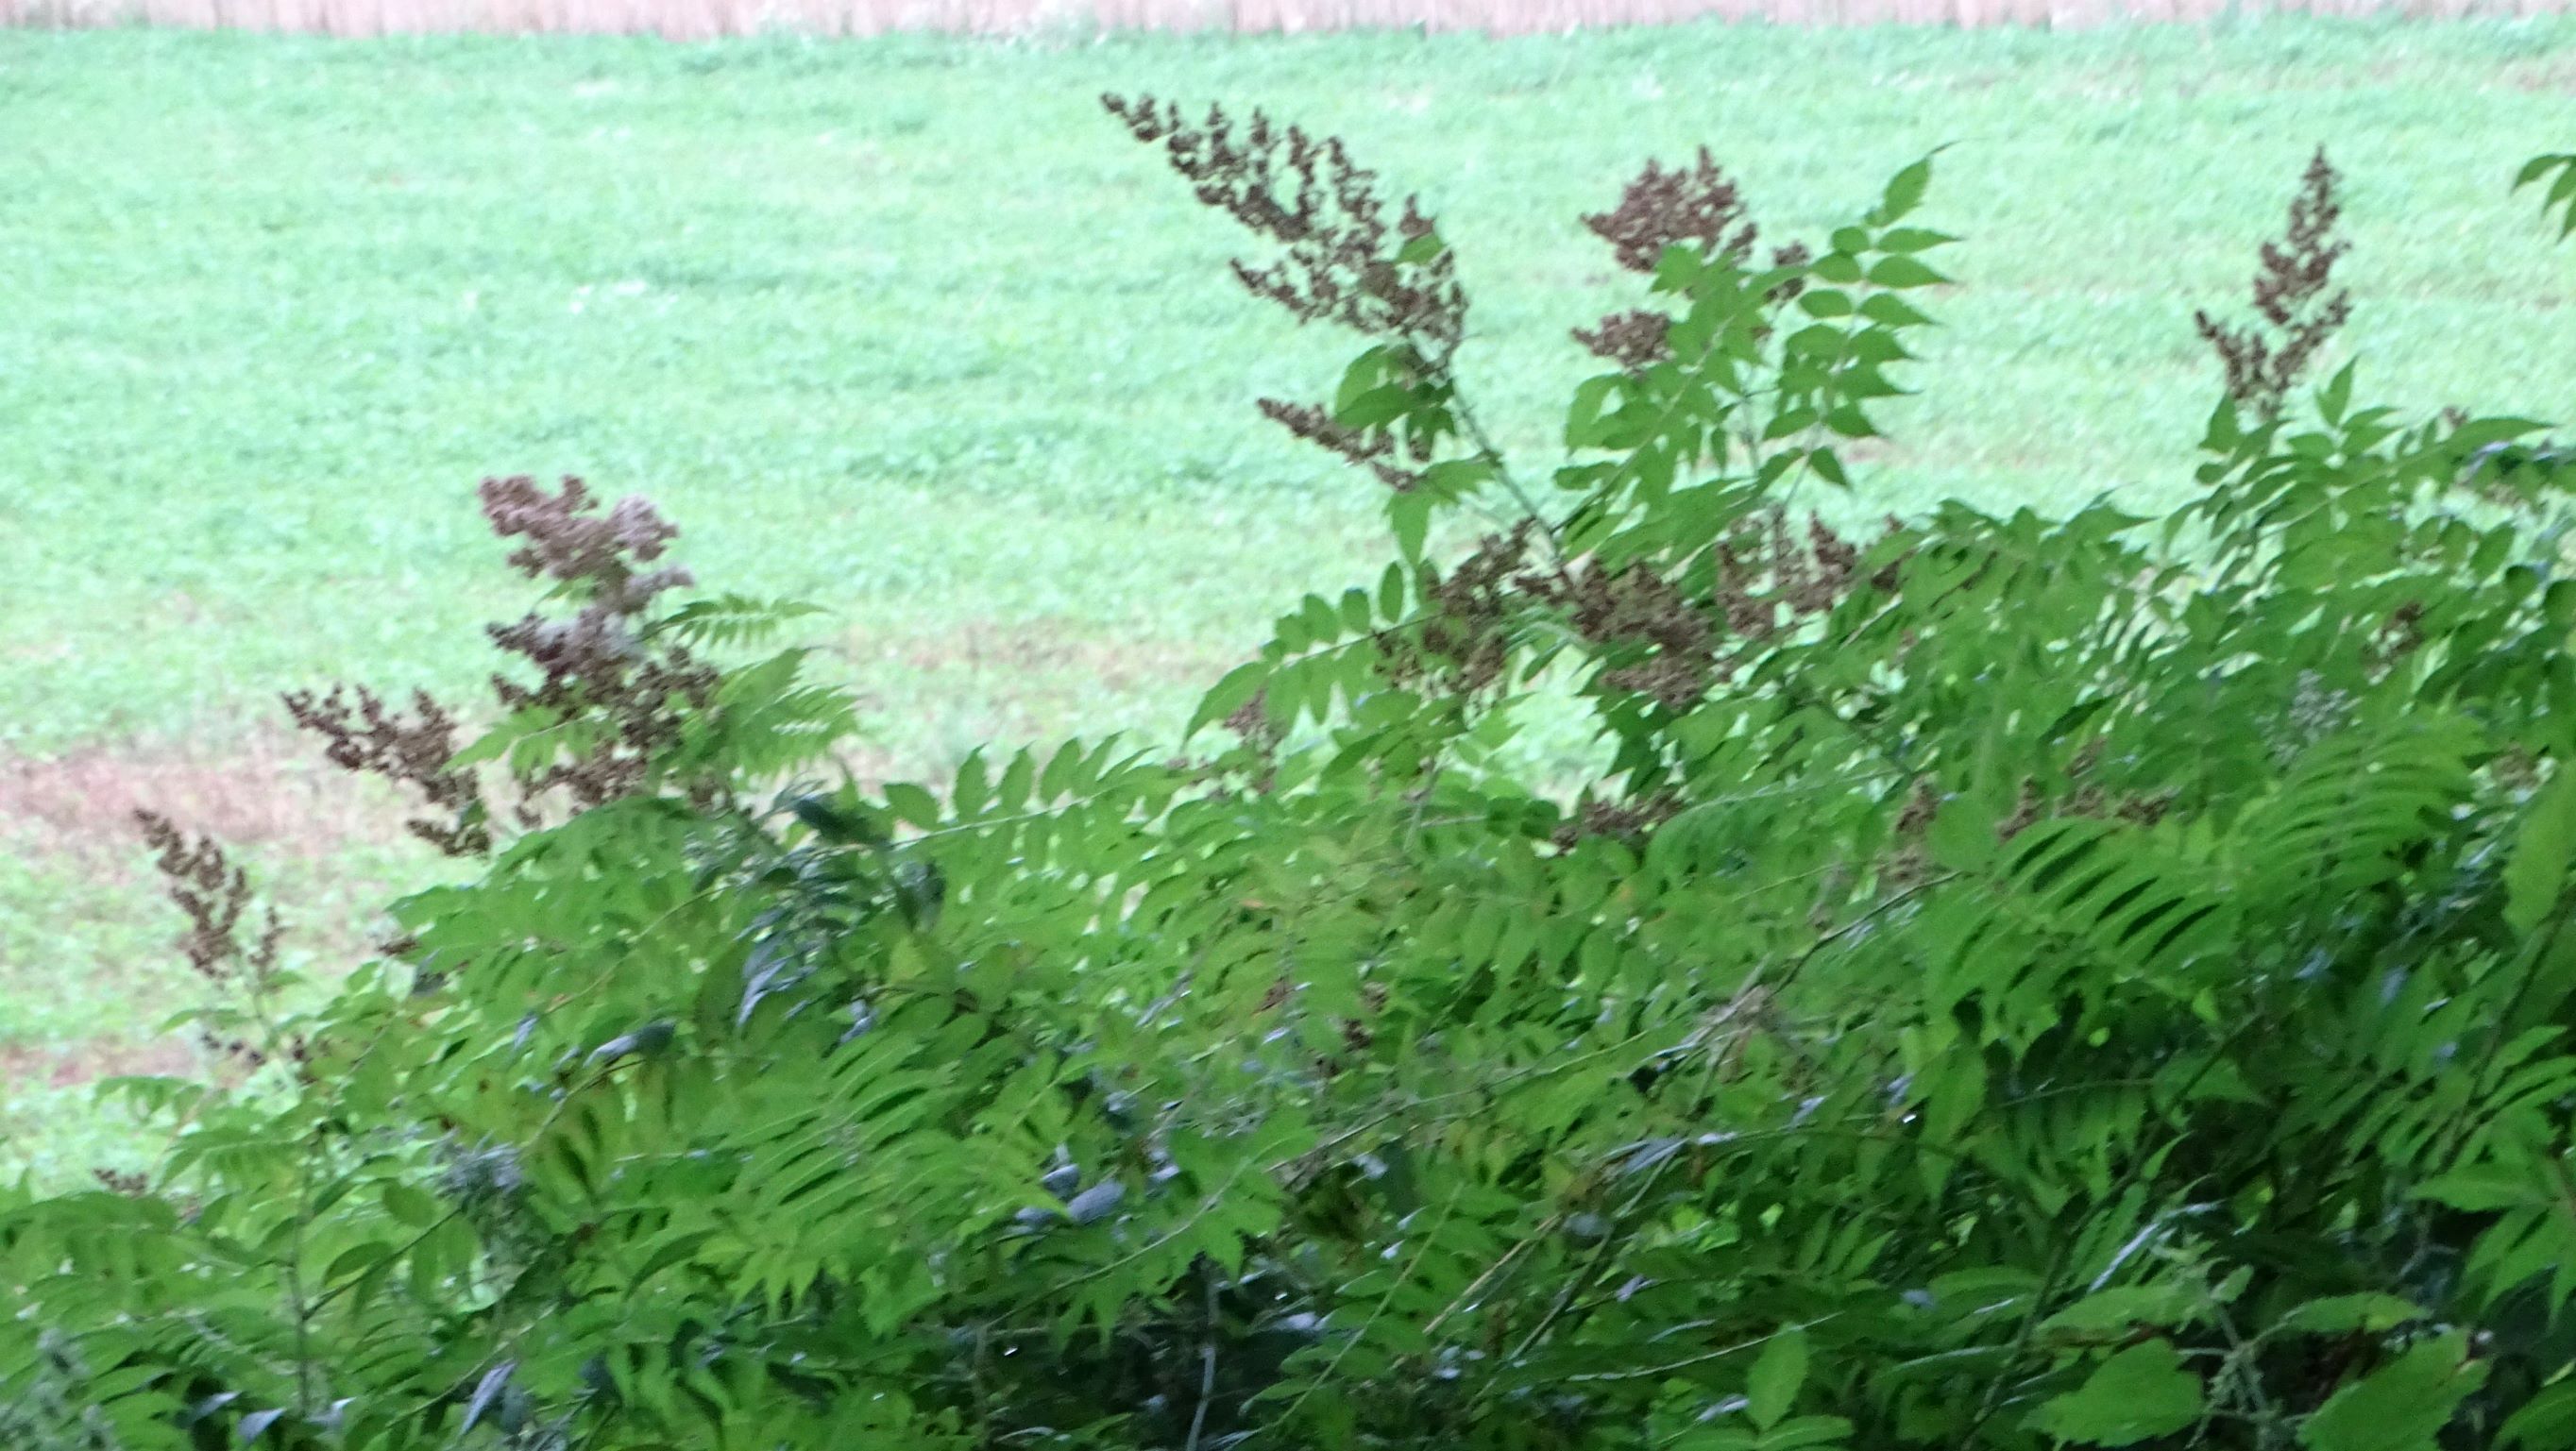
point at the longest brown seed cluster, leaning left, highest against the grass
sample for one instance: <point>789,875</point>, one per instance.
<point>1346,262</point>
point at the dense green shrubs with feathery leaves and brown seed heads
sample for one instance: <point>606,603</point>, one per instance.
<point>2018,981</point>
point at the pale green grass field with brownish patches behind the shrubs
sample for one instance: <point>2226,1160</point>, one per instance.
<point>913,331</point>
